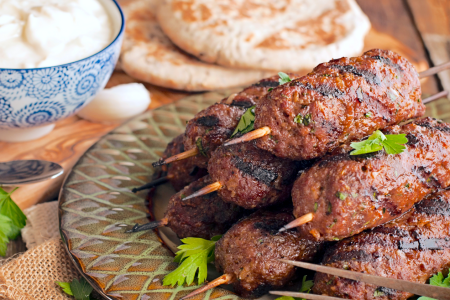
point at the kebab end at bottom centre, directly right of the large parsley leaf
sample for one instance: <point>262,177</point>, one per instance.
<point>250,249</point>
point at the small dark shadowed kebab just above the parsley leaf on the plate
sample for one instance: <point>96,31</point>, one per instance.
<point>202,217</point>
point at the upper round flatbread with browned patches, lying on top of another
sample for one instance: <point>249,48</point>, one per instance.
<point>282,35</point>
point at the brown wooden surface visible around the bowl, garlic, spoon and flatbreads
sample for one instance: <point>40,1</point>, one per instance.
<point>417,29</point>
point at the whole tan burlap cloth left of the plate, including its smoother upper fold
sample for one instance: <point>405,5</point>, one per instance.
<point>32,275</point>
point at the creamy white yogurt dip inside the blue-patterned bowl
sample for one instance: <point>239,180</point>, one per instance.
<point>43,33</point>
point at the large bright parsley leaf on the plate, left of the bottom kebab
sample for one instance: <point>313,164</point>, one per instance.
<point>194,254</point>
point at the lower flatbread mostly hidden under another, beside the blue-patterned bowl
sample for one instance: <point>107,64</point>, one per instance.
<point>149,55</point>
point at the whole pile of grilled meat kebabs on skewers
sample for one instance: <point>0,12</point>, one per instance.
<point>301,150</point>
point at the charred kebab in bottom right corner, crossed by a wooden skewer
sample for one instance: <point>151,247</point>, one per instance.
<point>414,247</point>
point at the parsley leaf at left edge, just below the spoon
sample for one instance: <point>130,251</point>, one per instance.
<point>9,208</point>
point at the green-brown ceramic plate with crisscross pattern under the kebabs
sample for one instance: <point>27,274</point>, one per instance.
<point>96,206</point>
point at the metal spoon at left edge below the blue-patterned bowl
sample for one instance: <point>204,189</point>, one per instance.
<point>28,171</point>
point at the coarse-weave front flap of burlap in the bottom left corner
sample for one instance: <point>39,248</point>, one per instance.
<point>32,275</point>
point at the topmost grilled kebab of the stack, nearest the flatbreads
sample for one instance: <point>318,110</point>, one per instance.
<point>343,100</point>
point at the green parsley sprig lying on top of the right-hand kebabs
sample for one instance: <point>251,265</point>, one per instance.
<point>392,144</point>
